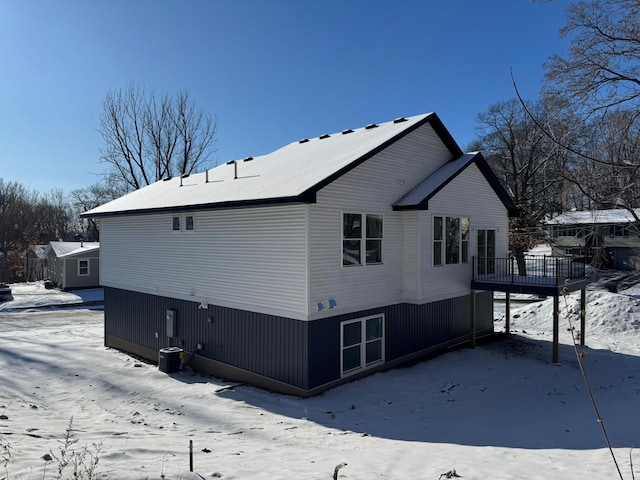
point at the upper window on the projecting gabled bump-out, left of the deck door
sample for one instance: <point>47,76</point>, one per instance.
<point>450,240</point>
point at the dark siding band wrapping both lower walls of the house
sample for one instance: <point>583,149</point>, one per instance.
<point>305,355</point>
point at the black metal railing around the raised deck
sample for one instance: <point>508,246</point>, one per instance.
<point>530,269</point>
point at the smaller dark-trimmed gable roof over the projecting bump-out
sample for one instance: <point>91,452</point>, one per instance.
<point>419,197</point>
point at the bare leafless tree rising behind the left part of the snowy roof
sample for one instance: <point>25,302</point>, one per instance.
<point>147,139</point>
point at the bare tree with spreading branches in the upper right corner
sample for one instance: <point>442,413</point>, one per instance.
<point>593,91</point>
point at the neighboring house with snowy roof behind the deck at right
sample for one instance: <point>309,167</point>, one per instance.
<point>608,238</point>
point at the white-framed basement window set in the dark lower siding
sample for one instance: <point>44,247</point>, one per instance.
<point>361,343</point>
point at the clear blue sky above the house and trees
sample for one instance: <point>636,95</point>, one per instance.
<point>271,71</point>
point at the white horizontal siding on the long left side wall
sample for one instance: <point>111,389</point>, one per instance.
<point>251,258</point>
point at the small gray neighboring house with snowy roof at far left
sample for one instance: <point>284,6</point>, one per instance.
<point>74,264</point>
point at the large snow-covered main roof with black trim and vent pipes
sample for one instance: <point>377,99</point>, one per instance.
<point>293,173</point>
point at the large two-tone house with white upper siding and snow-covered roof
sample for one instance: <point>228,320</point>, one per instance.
<point>323,261</point>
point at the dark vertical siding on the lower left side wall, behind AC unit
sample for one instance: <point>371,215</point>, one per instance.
<point>268,345</point>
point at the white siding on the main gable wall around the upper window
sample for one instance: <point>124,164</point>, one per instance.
<point>371,187</point>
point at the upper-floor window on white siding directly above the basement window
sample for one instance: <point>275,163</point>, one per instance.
<point>361,239</point>
